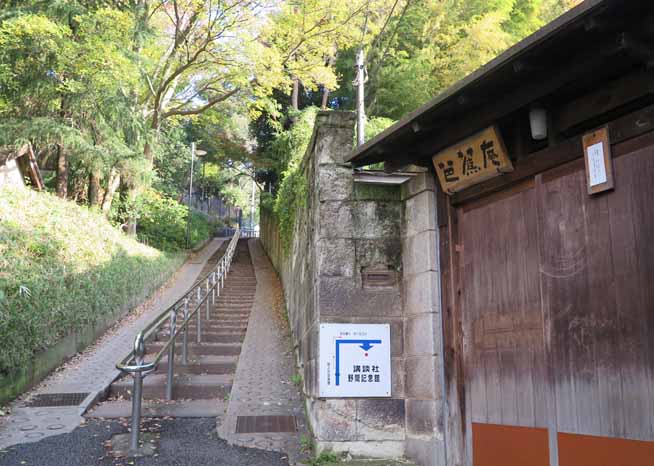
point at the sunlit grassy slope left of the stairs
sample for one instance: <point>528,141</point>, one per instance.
<point>61,266</point>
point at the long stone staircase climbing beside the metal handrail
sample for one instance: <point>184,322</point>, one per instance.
<point>202,386</point>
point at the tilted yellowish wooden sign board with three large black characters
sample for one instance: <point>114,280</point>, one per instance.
<point>476,159</point>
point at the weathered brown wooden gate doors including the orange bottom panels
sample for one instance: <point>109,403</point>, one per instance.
<point>557,305</point>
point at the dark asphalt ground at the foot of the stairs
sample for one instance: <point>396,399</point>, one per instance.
<point>182,442</point>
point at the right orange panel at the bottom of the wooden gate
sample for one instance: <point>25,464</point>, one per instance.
<point>586,450</point>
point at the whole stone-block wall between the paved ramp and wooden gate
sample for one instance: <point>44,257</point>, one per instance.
<point>345,230</point>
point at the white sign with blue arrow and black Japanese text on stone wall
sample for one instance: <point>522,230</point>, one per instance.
<point>355,360</point>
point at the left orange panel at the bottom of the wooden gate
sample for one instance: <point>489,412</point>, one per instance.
<point>494,445</point>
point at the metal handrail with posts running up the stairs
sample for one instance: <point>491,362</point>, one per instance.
<point>134,363</point>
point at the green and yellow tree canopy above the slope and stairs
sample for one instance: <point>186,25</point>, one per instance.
<point>112,92</point>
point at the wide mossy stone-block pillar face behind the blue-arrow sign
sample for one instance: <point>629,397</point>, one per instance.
<point>356,228</point>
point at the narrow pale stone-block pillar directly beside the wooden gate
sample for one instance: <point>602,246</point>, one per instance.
<point>423,336</point>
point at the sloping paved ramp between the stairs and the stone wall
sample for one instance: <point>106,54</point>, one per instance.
<point>262,384</point>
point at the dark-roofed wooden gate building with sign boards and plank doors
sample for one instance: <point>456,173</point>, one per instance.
<point>547,255</point>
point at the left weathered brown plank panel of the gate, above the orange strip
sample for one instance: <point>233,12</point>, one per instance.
<point>501,297</point>
